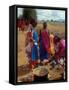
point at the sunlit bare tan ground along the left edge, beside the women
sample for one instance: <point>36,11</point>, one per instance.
<point>22,58</point>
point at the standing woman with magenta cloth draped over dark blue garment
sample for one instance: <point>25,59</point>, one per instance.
<point>44,44</point>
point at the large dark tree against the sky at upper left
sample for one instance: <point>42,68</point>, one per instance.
<point>29,14</point>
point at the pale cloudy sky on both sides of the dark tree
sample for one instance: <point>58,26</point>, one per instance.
<point>45,14</point>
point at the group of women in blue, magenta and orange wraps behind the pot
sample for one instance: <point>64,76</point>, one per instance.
<point>40,48</point>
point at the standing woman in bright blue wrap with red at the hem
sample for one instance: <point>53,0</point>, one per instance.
<point>34,51</point>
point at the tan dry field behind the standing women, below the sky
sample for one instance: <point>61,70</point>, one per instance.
<point>54,27</point>
